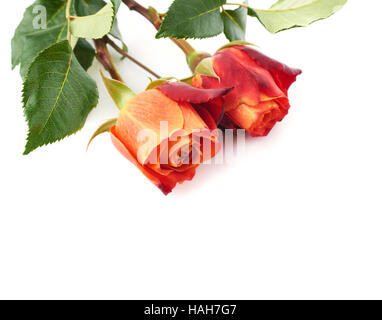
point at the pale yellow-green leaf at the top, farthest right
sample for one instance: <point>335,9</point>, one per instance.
<point>286,14</point>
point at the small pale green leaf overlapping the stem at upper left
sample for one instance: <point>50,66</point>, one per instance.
<point>94,26</point>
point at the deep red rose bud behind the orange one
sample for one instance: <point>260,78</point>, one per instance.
<point>260,95</point>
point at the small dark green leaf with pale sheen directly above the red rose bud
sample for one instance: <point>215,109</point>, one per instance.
<point>235,23</point>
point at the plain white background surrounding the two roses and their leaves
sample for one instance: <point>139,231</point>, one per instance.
<point>297,216</point>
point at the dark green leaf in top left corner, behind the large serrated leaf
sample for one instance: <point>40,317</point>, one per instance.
<point>28,41</point>
